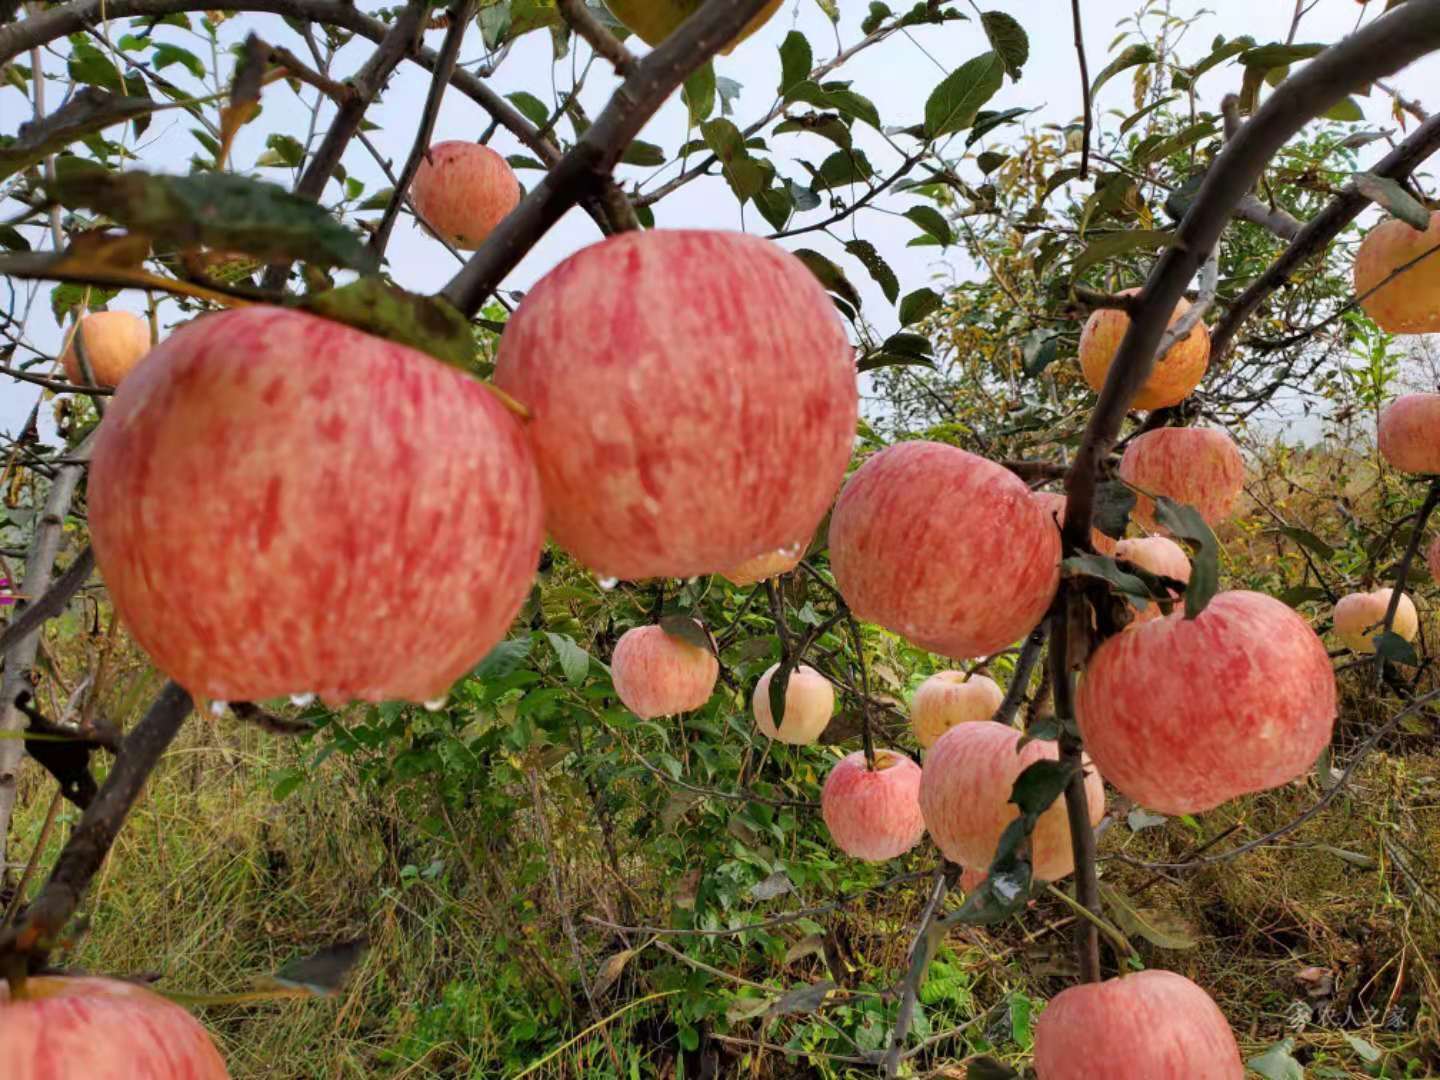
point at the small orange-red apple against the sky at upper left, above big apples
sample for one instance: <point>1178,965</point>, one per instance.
<point>463,189</point>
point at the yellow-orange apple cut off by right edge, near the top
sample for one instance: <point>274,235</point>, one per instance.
<point>1405,305</point>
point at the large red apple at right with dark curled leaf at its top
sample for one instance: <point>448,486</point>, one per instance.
<point>1183,715</point>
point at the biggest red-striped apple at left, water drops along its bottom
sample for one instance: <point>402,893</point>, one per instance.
<point>282,505</point>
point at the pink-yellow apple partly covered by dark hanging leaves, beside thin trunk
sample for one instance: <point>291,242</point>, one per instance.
<point>966,791</point>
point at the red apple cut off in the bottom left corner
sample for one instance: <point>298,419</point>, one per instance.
<point>89,1029</point>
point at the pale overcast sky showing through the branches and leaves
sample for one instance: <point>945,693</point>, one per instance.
<point>898,76</point>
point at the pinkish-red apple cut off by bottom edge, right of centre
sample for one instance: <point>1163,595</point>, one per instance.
<point>1147,1026</point>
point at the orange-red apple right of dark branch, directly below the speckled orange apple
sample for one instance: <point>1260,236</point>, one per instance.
<point>1200,467</point>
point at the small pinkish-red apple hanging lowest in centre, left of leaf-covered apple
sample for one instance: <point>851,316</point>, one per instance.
<point>873,814</point>
